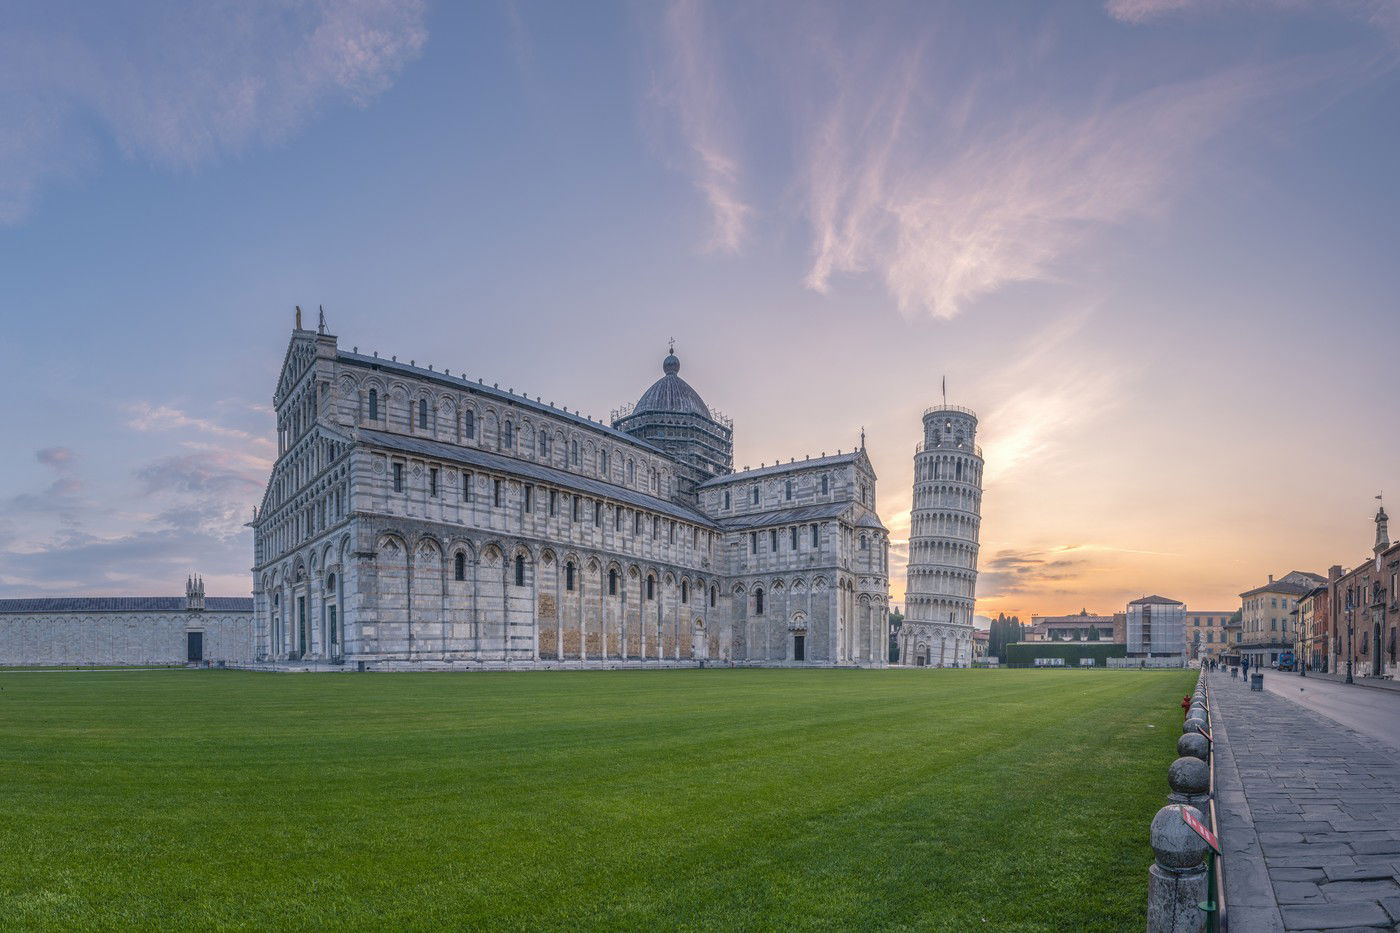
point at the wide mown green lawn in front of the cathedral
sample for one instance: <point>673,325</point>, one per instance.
<point>950,801</point>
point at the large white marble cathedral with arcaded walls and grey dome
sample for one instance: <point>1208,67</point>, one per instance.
<point>419,519</point>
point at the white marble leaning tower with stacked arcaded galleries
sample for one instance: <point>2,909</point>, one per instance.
<point>943,541</point>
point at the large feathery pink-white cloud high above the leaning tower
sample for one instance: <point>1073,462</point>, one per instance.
<point>946,212</point>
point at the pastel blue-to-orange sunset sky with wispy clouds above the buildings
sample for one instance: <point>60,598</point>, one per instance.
<point>1153,243</point>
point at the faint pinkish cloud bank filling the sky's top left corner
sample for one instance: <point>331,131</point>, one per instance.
<point>180,85</point>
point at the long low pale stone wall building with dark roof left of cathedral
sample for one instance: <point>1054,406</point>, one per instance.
<point>128,631</point>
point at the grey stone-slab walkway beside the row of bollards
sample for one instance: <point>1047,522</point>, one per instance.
<point>1310,817</point>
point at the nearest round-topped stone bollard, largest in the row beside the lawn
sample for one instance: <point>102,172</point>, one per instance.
<point>1178,882</point>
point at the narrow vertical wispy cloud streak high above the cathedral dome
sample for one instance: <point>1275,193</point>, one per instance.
<point>692,89</point>
